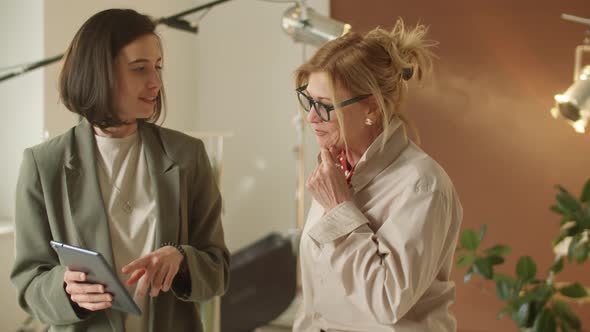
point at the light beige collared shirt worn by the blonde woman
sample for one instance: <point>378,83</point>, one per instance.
<point>382,262</point>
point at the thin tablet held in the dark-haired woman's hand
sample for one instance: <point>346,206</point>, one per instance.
<point>97,271</point>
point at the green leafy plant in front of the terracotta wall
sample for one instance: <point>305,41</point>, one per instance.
<point>532,302</point>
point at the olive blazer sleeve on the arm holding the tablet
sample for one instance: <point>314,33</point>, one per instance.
<point>37,273</point>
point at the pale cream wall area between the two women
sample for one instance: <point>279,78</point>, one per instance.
<point>245,85</point>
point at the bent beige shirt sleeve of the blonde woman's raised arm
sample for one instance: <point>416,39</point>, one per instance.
<point>386,272</point>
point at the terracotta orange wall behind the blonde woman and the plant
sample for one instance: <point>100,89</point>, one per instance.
<point>485,118</point>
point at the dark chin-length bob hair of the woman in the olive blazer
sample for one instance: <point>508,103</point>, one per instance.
<point>87,81</point>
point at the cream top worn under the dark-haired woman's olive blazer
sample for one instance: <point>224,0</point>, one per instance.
<point>131,208</point>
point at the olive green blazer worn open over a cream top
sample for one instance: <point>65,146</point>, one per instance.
<point>58,198</point>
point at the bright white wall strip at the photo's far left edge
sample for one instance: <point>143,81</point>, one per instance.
<point>21,37</point>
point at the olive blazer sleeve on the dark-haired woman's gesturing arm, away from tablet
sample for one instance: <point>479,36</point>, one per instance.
<point>207,255</point>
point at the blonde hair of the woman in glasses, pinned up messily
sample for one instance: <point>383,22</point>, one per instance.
<point>379,63</point>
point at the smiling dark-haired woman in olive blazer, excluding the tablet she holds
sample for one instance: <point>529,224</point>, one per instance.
<point>141,195</point>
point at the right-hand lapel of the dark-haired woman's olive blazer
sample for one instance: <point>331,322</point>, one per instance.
<point>165,175</point>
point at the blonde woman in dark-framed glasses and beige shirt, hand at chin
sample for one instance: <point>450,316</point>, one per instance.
<point>378,244</point>
